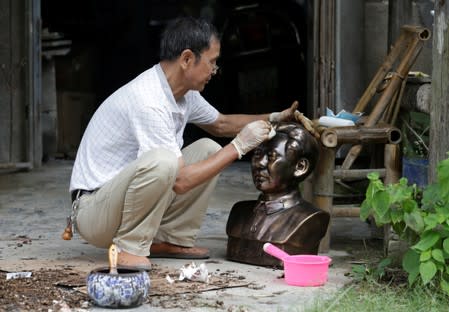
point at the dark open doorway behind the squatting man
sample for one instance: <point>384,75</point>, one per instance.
<point>262,68</point>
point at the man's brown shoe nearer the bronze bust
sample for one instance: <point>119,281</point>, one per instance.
<point>167,250</point>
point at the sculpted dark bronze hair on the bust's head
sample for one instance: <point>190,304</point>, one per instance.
<point>300,143</point>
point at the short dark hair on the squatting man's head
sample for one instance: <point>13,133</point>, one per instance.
<point>186,33</point>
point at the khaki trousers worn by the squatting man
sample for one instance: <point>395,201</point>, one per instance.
<point>139,205</point>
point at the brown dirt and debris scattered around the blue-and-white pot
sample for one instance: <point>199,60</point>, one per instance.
<point>64,289</point>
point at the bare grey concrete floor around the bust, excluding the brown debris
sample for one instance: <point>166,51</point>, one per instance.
<point>35,204</point>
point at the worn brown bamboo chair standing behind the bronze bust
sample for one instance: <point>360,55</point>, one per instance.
<point>377,129</point>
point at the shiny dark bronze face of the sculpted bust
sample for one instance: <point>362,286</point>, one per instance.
<point>272,172</point>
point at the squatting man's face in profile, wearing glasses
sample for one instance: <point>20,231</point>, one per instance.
<point>205,67</point>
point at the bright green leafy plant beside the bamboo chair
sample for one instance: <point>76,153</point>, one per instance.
<point>420,217</point>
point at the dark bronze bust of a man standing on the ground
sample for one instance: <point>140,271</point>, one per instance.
<point>280,215</point>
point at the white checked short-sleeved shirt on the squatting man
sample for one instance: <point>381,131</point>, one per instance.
<point>140,116</point>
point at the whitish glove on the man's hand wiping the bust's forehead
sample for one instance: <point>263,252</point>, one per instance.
<point>252,135</point>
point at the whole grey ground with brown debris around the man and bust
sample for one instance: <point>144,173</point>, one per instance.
<point>33,208</point>
